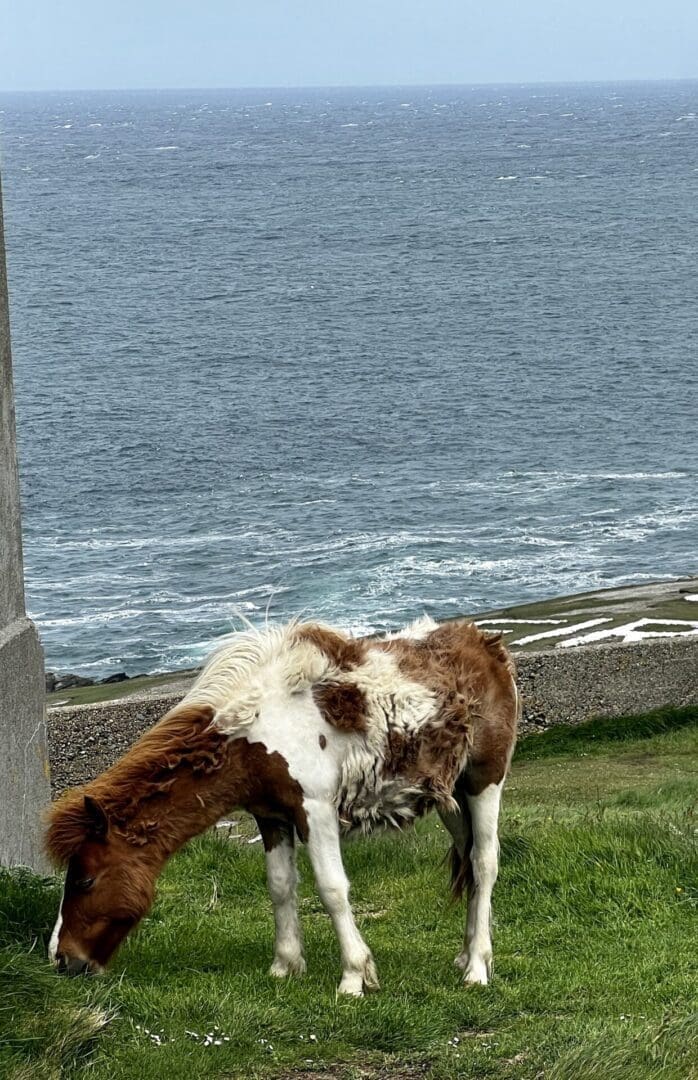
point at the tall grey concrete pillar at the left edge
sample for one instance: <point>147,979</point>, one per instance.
<point>24,760</point>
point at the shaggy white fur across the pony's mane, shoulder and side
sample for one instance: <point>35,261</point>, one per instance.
<point>261,687</point>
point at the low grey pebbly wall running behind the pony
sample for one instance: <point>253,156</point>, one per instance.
<point>566,686</point>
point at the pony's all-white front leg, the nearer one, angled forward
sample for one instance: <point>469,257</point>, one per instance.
<point>359,970</point>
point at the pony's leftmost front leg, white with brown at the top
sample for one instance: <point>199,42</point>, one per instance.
<point>283,880</point>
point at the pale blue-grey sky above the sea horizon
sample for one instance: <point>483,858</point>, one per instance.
<point>91,45</point>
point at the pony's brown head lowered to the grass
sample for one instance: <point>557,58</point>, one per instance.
<point>110,885</point>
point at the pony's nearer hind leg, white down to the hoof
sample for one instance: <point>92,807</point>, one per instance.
<point>476,961</point>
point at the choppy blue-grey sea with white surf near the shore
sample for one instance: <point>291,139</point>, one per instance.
<point>355,354</point>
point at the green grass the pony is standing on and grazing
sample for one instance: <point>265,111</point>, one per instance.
<point>595,946</point>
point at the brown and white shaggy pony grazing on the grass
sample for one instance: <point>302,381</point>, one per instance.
<point>318,735</point>
